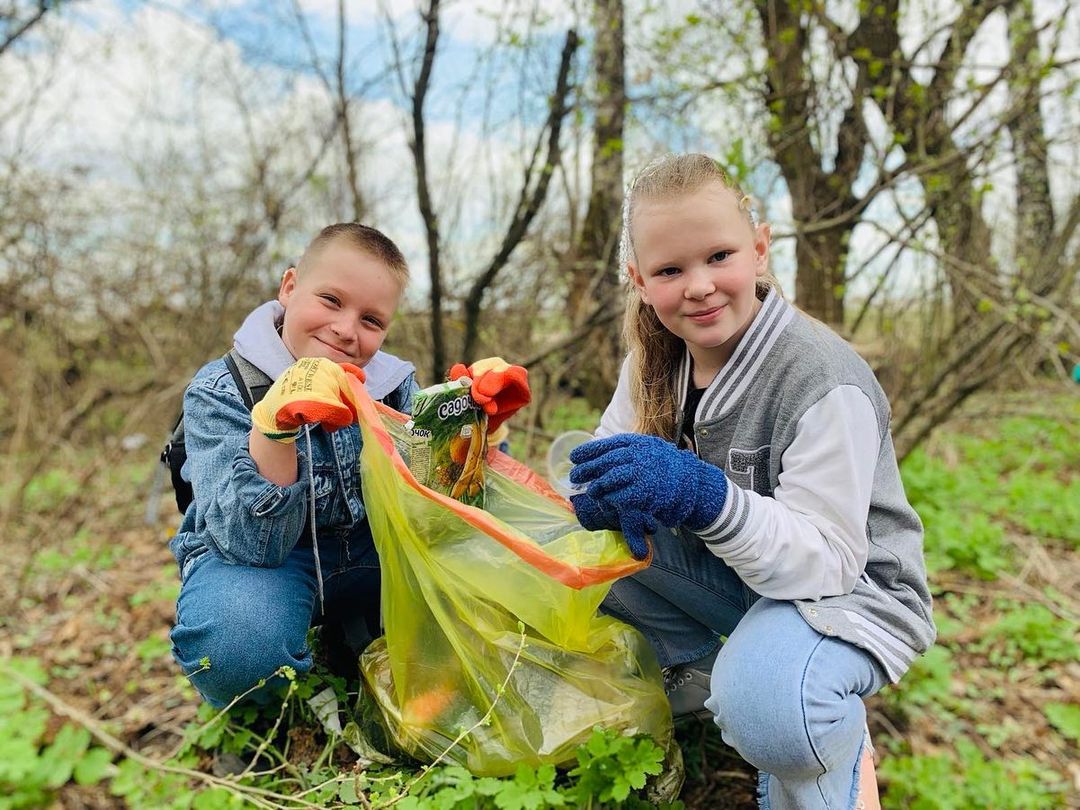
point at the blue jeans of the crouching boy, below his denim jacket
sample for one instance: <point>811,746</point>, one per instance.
<point>251,622</point>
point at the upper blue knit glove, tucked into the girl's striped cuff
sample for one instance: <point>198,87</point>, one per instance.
<point>634,474</point>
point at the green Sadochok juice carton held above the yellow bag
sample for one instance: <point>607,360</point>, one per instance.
<point>448,442</point>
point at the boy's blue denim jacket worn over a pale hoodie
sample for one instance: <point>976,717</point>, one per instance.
<point>240,516</point>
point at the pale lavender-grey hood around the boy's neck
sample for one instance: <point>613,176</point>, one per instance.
<point>259,343</point>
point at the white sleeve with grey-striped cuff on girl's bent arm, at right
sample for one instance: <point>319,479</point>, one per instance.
<point>809,539</point>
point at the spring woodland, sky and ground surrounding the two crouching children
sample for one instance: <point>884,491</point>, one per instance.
<point>161,165</point>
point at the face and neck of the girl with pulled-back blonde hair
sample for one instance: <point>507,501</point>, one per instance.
<point>696,261</point>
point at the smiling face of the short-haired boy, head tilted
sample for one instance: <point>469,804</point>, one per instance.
<point>340,305</point>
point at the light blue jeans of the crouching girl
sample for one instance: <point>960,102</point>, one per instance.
<point>789,699</point>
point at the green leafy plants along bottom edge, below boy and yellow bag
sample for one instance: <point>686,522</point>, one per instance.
<point>273,766</point>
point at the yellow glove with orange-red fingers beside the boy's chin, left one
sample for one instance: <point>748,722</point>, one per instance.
<point>312,390</point>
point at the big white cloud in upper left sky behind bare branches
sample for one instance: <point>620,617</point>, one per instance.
<point>155,98</point>
